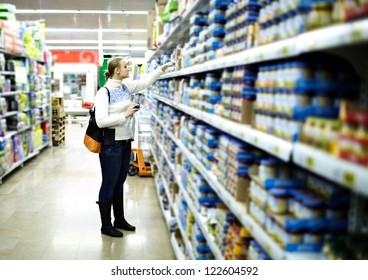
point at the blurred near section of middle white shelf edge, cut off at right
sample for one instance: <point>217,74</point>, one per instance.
<point>345,173</point>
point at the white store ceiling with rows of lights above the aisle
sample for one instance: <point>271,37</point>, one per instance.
<point>91,21</point>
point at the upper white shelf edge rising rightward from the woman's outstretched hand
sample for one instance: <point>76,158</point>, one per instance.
<point>325,38</point>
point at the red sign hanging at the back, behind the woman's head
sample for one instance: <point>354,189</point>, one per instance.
<point>76,57</point>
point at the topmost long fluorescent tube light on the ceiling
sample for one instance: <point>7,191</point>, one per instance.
<point>31,11</point>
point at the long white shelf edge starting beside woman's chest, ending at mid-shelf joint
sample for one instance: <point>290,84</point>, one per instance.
<point>269,143</point>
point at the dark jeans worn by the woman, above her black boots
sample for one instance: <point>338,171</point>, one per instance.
<point>114,160</point>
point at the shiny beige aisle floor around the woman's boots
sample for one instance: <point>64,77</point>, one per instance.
<point>48,210</point>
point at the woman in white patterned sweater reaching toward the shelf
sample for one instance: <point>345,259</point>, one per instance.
<point>114,110</point>
